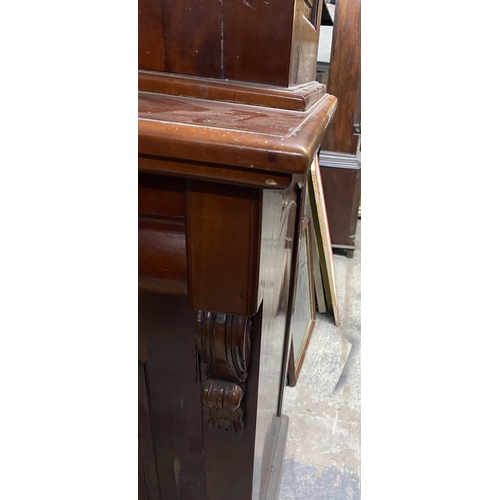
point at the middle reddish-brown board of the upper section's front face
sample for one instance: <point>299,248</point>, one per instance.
<point>192,37</point>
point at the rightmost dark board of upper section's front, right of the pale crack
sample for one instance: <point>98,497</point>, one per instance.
<point>257,39</point>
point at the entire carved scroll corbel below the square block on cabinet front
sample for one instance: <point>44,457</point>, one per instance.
<point>223,341</point>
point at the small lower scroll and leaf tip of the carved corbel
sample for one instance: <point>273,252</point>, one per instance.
<point>223,400</point>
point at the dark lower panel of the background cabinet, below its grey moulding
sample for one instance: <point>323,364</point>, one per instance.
<point>342,187</point>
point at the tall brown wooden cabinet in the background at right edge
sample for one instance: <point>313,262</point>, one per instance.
<point>339,161</point>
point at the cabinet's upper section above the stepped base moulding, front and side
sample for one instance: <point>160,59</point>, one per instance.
<point>265,41</point>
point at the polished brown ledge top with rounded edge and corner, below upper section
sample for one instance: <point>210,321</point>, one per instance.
<point>232,134</point>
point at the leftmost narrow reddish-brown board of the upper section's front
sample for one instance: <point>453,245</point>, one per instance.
<point>150,35</point>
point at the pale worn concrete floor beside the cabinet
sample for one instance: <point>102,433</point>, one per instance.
<point>322,456</point>
